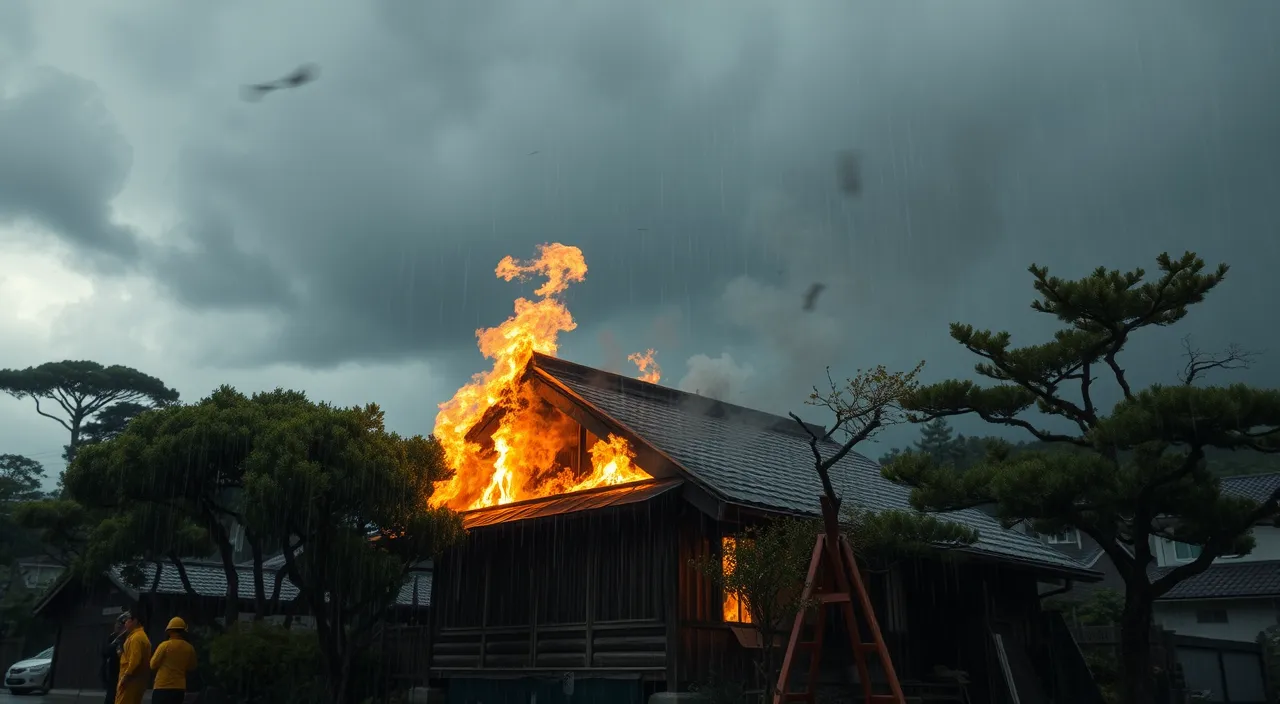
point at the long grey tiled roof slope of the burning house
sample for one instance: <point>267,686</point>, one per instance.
<point>761,460</point>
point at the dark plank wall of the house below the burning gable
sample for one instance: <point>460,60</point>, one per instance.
<point>583,592</point>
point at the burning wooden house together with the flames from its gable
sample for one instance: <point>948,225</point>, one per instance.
<point>587,495</point>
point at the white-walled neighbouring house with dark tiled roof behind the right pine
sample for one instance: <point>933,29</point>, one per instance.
<point>1235,600</point>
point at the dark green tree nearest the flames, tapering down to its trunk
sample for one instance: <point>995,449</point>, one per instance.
<point>336,484</point>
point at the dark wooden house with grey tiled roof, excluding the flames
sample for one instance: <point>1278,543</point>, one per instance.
<point>592,595</point>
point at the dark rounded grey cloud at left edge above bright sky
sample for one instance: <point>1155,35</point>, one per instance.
<point>62,163</point>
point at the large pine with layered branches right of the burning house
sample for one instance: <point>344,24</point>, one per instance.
<point>1137,473</point>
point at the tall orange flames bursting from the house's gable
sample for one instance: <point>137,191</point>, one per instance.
<point>534,447</point>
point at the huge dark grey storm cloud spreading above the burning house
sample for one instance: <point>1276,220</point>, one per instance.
<point>691,152</point>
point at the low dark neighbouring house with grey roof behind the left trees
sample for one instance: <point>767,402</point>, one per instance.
<point>84,612</point>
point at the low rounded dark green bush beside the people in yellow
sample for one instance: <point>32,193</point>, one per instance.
<point>263,664</point>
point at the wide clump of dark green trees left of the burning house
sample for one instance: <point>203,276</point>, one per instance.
<point>349,497</point>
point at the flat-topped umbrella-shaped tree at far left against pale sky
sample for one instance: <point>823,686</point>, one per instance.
<point>84,390</point>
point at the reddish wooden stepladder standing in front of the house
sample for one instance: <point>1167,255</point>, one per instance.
<point>834,582</point>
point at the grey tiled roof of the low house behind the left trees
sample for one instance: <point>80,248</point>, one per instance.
<point>211,580</point>
